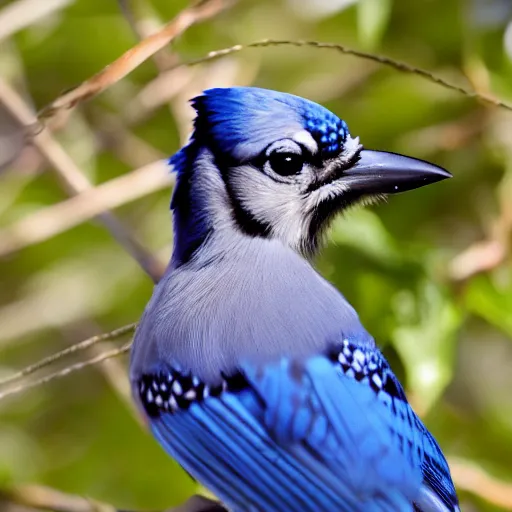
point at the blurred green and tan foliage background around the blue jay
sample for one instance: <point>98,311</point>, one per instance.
<point>429,272</point>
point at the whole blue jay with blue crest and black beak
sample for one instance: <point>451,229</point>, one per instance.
<point>253,371</point>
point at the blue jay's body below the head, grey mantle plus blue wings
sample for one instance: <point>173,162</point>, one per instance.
<point>238,353</point>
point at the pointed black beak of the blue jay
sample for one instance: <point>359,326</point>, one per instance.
<point>379,172</point>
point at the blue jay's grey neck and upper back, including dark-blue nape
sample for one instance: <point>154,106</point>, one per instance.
<point>248,296</point>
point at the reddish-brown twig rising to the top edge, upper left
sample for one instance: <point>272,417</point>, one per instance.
<point>135,56</point>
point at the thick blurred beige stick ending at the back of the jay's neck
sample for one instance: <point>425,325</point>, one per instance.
<point>93,202</point>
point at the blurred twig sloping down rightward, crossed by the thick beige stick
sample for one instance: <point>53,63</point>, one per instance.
<point>72,178</point>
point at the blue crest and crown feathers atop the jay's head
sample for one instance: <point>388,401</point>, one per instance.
<point>240,122</point>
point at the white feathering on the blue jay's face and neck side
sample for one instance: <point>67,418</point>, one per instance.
<point>283,204</point>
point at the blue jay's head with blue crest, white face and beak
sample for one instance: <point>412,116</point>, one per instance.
<point>288,165</point>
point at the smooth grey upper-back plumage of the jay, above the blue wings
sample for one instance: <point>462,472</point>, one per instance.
<point>256,301</point>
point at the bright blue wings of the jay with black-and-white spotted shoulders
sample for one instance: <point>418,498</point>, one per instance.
<point>310,436</point>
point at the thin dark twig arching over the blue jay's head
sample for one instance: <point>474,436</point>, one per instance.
<point>381,59</point>
